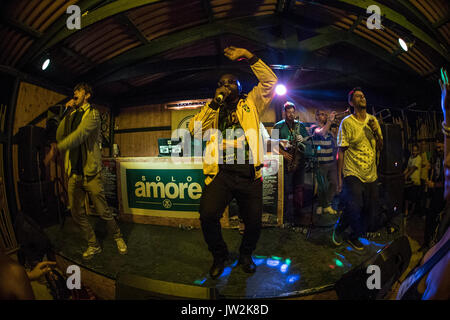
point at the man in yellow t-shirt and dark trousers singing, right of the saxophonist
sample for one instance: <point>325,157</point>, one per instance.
<point>359,139</point>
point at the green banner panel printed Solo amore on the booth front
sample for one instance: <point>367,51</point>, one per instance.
<point>173,190</point>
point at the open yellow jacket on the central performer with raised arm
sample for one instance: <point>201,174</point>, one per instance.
<point>205,124</point>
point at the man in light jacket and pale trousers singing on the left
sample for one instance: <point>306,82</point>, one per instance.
<point>78,136</point>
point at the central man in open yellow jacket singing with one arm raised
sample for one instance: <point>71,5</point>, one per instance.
<point>236,174</point>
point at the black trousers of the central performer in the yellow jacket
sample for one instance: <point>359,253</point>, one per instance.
<point>216,196</point>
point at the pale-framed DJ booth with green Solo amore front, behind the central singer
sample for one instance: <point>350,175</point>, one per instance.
<point>167,190</point>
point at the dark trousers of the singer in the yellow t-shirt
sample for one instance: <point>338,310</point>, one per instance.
<point>360,203</point>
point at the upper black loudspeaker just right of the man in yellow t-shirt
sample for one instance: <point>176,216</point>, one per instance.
<point>391,156</point>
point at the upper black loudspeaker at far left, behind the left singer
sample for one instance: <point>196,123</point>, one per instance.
<point>31,142</point>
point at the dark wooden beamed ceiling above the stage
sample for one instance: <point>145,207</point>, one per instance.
<point>147,50</point>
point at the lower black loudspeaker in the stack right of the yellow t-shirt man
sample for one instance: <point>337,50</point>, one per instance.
<point>391,188</point>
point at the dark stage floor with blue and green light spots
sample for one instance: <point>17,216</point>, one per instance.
<point>289,266</point>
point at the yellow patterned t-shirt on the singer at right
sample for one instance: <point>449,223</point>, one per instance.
<point>360,157</point>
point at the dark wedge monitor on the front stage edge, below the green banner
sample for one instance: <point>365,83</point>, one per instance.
<point>133,287</point>
